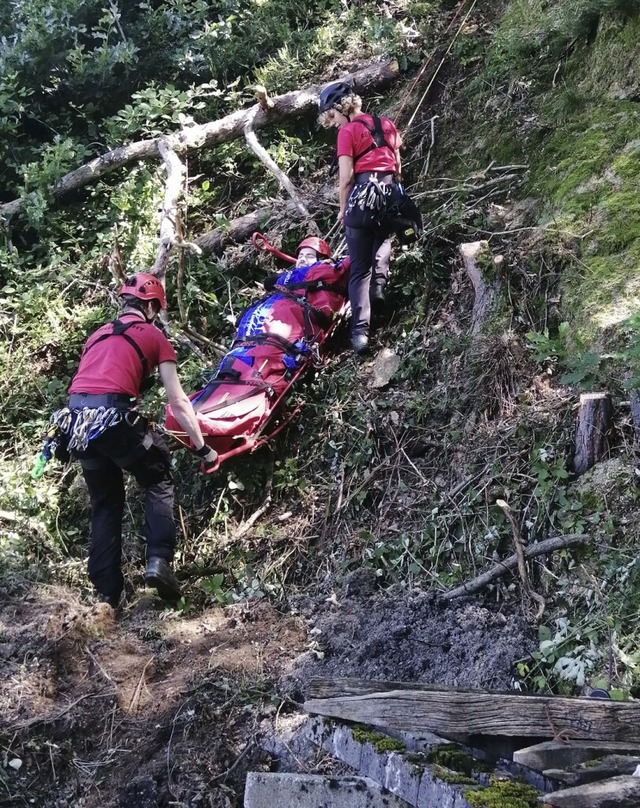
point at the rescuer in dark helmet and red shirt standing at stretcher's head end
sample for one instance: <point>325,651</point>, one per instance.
<point>368,152</point>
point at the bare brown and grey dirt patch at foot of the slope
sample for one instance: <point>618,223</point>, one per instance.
<point>155,708</point>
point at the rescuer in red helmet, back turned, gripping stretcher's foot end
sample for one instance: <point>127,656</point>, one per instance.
<point>108,435</point>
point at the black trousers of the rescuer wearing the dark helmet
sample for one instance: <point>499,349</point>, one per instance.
<point>370,253</point>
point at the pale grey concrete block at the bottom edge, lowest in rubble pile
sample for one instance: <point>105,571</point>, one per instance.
<point>268,790</point>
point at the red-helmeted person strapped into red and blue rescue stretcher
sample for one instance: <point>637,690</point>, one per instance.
<point>277,338</point>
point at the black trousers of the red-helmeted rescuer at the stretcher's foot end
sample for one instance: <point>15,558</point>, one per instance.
<point>145,455</point>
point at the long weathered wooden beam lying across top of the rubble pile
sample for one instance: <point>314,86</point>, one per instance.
<point>419,708</point>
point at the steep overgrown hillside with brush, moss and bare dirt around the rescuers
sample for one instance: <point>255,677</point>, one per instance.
<point>330,550</point>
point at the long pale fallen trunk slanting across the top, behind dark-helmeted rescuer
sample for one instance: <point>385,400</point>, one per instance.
<point>289,105</point>
